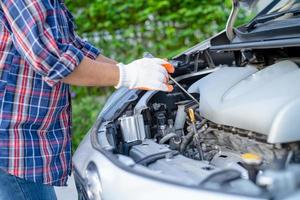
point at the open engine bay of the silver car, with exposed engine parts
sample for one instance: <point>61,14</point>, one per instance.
<point>242,137</point>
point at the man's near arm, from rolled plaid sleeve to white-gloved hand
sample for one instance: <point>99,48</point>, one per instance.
<point>56,61</point>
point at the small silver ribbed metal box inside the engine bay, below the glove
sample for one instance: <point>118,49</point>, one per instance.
<point>132,128</point>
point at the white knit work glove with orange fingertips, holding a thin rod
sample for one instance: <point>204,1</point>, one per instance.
<point>146,74</point>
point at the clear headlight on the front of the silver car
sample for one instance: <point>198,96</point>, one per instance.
<point>93,186</point>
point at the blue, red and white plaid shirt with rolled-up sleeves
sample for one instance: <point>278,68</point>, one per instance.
<point>38,47</point>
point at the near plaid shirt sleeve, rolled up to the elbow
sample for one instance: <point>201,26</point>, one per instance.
<point>36,35</point>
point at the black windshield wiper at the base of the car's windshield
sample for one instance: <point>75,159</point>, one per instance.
<point>270,17</point>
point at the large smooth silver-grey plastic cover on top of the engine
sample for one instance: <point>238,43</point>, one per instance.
<point>265,101</point>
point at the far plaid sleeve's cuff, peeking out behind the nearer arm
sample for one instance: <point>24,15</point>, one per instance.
<point>87,48</point>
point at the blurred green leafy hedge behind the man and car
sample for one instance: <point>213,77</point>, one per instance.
<point>124,30</point>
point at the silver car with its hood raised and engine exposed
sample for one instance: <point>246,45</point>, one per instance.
<point>229,130</point>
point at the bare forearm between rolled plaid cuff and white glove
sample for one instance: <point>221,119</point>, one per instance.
<point>94,73</point>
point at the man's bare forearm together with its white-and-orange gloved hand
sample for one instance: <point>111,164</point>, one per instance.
<point>145,74</point>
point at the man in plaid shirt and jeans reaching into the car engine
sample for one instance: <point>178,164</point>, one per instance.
<point>40,56</point>
